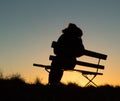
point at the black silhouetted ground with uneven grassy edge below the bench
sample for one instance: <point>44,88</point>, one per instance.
<point>16,89</point>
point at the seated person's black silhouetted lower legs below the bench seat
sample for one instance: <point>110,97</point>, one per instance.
<point>55,76</point>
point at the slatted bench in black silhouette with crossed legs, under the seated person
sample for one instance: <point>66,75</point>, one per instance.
<point>85,73</point>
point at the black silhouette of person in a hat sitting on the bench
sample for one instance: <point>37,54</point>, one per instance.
<point>69,47</point>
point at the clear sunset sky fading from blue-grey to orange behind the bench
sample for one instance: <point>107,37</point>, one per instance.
<point>28,27</point>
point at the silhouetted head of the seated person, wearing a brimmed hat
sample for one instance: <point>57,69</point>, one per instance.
<point>73,30</point>
